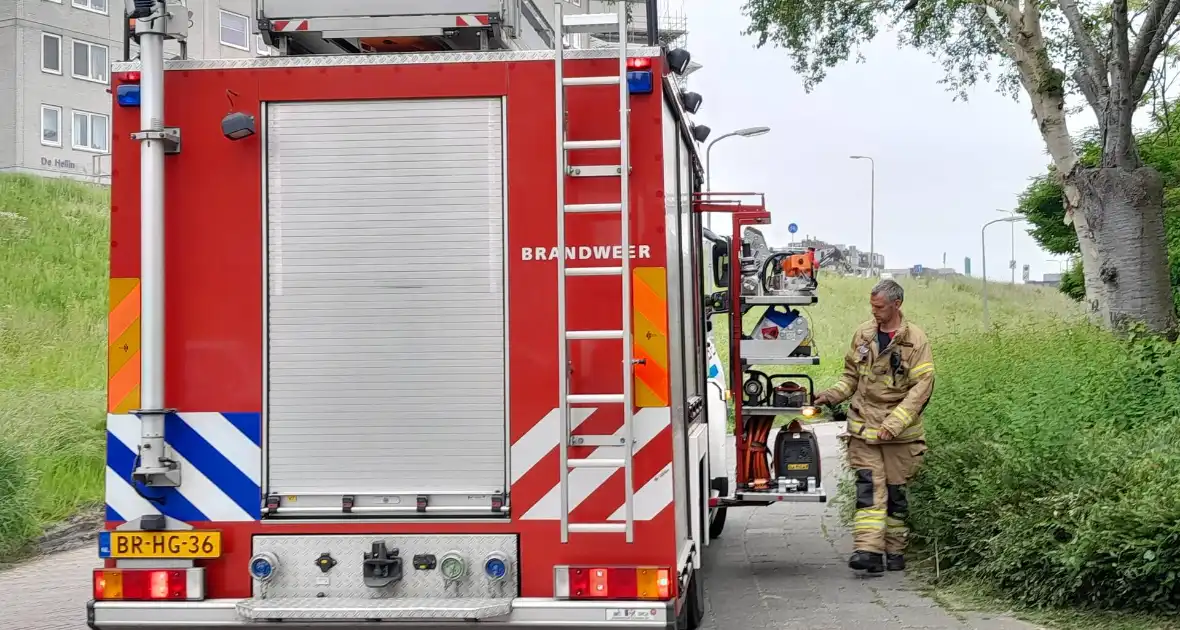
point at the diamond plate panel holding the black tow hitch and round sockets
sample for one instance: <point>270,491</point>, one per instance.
<point>299,576</point>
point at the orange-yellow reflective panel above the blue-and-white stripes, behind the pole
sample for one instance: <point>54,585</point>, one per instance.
<point>123,346</point>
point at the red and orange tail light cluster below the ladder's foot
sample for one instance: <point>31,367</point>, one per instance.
<point>614,583</point>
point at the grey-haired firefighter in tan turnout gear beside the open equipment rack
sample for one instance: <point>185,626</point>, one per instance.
<point>889,375</point>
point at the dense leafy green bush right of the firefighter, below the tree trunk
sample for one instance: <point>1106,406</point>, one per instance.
<point>1054,470</point>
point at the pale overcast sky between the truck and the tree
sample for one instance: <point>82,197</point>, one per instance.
<point>943,167</point>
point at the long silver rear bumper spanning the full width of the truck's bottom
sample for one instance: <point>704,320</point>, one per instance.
<point>346,615</point>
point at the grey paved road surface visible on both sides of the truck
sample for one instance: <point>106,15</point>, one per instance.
<point>775,568</point>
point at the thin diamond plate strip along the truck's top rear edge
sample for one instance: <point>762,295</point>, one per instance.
<point>401,60</point>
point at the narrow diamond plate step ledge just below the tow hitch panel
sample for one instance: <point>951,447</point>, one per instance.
<point>318,608</point>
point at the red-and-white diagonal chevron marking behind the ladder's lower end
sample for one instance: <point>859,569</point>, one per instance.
<point>595,494</point>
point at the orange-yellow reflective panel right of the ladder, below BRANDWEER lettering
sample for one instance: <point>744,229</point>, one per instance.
<point>650,331</point>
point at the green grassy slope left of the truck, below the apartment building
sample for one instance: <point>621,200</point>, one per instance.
<point>54,253</point>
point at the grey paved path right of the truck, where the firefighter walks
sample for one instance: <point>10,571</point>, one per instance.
<point>785,567</point>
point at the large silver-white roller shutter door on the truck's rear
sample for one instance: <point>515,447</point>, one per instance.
<point>386,312</point>
